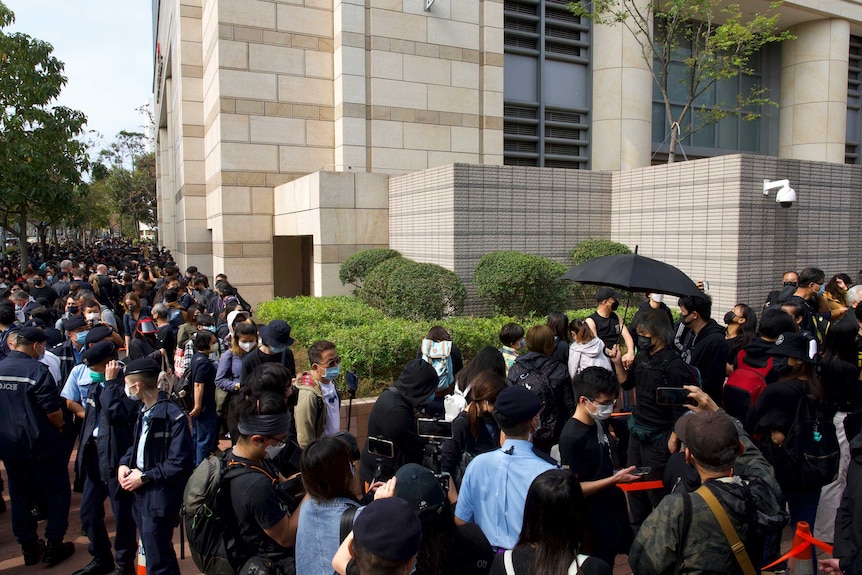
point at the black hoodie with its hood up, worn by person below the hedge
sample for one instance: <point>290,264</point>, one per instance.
<point>392,418</point>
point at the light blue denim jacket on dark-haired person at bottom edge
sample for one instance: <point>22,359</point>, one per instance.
<point>317,535</point>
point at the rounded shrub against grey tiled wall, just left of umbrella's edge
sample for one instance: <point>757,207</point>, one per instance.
<point>514,283</point>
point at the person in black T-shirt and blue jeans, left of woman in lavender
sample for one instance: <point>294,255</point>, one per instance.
<point>204,415</point>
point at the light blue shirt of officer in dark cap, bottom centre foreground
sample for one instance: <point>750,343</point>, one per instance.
<point>494,490</point>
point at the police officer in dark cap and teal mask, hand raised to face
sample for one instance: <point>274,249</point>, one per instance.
<point>105,437</point>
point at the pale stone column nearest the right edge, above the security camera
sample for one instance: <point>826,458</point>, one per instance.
<point>813,106</point>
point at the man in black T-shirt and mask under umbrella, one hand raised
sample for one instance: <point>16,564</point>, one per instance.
<point>652,438</point>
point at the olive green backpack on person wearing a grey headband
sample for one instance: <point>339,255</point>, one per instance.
<point>207,518</point>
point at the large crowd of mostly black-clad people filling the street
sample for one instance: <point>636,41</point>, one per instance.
<point>522,459</point>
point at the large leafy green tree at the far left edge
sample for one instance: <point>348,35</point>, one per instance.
<point>41,155</point>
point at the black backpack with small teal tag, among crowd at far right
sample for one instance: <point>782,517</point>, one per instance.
<point>811,445</point>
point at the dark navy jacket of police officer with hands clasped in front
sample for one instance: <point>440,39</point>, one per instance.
<point>168,458</point>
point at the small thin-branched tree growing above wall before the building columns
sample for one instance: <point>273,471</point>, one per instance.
<point>709,39</point>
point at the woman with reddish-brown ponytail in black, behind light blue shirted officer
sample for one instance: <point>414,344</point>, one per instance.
<point>474,430</point>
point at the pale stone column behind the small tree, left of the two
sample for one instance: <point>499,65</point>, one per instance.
<point>621,130</point>
